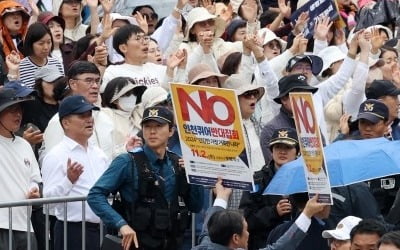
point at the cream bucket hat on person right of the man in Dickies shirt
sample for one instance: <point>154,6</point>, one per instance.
<point>200,14</point>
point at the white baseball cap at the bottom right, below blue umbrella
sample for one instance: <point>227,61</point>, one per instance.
<point>343,228</point>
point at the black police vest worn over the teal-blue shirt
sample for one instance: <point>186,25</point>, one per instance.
<point>159,224</point>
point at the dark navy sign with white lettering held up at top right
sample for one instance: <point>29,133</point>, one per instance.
<point>315,9</point>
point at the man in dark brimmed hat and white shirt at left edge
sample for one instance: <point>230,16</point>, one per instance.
<point>20,174</point>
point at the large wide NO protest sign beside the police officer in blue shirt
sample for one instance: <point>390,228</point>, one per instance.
<point>211,135</point>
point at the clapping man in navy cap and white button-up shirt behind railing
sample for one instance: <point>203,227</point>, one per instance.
<point>70,169</point>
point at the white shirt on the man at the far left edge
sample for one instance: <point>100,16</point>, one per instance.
<point>19,174</point>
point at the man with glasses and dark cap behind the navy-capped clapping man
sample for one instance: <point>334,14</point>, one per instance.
<point>83,79</point>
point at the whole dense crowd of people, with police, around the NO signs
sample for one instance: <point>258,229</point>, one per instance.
<point>86,110</point>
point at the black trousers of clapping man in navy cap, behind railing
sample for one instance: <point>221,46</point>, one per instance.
<point>74,236</point>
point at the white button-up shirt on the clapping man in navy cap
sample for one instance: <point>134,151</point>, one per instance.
<point>56,182</point>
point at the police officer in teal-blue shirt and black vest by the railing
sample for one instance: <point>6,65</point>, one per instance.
<point>151,182</point>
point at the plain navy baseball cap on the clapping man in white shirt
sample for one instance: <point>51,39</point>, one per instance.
<point>75,104</point>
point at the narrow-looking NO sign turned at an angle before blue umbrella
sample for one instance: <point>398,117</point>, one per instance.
<point>311,148</point>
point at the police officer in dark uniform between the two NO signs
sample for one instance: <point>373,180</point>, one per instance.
<point>265,212</point>
